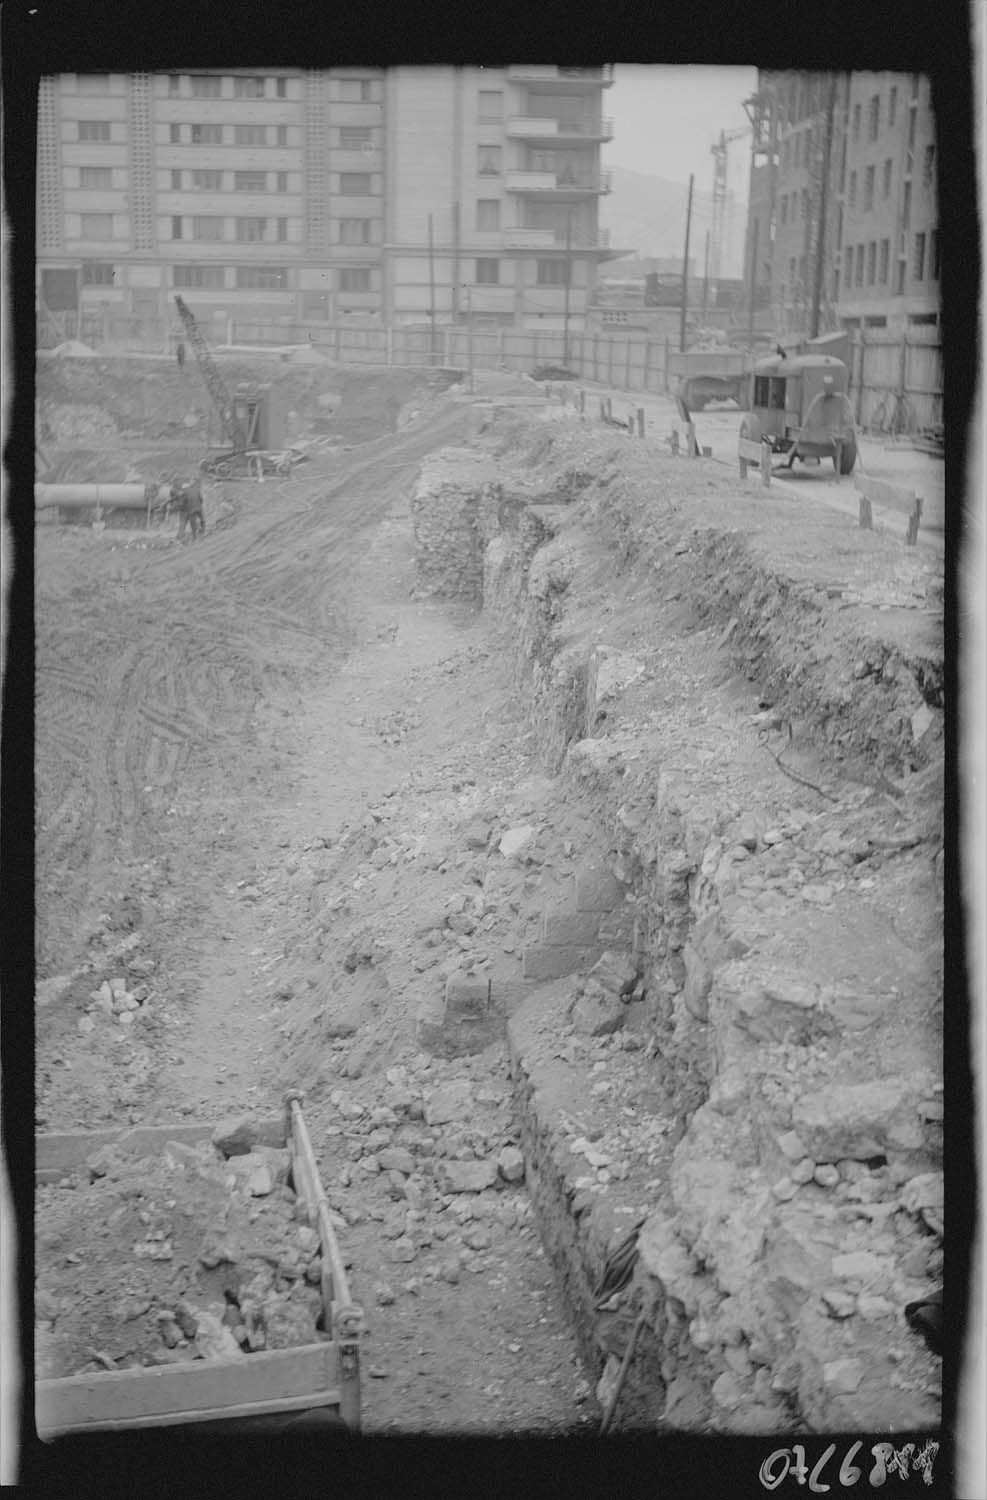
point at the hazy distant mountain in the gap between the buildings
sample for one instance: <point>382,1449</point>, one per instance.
<point>647,217</point>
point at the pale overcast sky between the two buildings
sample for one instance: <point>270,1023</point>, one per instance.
<point>667,119</point>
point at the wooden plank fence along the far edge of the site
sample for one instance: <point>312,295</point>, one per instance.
<point>896,380</point>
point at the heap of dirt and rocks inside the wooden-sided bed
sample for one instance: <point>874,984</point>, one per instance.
<point>172,1258</point>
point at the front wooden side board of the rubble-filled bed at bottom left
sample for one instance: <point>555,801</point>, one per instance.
<point>196,1391</point>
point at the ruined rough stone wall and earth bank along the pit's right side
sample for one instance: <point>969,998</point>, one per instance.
<point>800,1204</point>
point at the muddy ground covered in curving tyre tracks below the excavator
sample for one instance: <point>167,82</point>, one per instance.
<point>194,640</point>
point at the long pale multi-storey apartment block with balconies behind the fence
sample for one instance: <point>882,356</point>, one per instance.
<point>296,196</point>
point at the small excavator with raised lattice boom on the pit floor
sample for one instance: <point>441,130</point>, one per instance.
<point>248,418</point>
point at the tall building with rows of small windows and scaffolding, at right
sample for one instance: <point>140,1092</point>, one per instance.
<point>881,253</point>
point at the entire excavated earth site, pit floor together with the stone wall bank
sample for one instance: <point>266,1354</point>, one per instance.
<point>569,829</point>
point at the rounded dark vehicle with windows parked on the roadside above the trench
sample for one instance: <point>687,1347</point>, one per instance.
<point>800,409</point>
